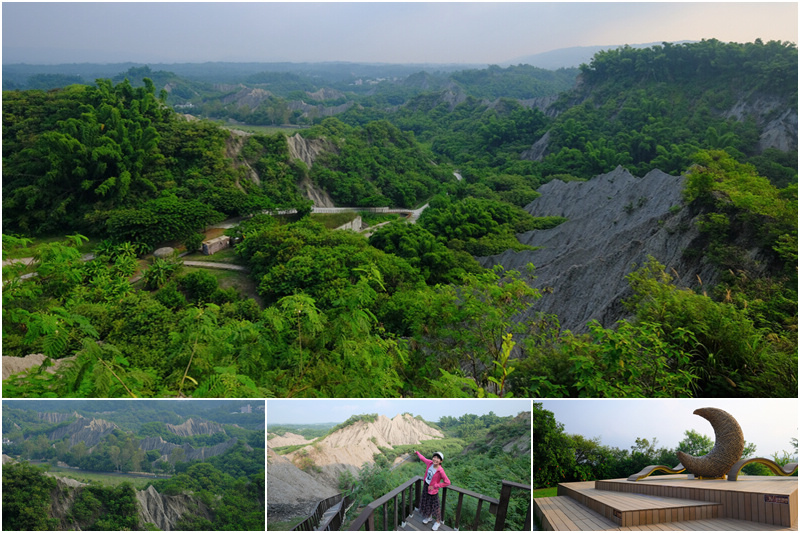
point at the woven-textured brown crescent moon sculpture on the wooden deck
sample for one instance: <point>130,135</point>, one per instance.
<point>728,446</point>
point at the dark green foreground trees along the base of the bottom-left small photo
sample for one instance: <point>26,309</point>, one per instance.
<point>221,500</point>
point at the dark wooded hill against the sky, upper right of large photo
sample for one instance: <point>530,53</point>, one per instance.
<point>655,107</point>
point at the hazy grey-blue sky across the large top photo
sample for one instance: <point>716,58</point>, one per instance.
<point>416,32</point>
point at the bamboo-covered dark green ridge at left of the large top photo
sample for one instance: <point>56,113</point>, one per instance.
<point>114,160</point>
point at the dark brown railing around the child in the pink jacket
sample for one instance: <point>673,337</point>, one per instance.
<point>394,512</point>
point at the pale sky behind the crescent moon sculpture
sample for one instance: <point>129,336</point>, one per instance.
<point>768,423</point>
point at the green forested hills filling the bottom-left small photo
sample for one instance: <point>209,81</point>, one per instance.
<point>98,459</point>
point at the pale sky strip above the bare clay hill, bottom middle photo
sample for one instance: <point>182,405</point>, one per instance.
<point>314,411</point>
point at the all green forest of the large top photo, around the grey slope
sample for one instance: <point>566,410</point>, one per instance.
<point>408,311</point>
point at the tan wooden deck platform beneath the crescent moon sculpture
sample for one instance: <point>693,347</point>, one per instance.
<point>672,503</point>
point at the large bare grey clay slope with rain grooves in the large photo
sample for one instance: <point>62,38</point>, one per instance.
<point>614,221</point>
